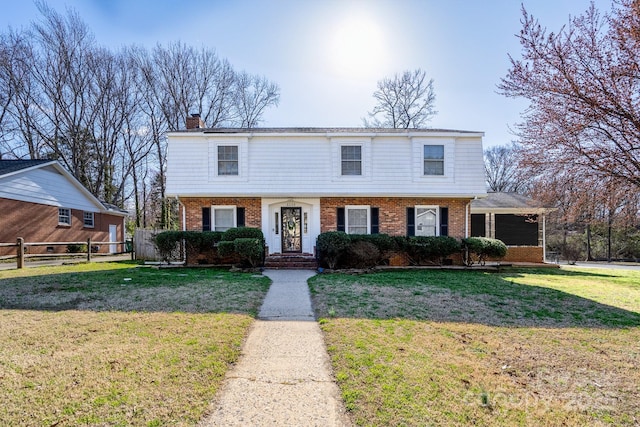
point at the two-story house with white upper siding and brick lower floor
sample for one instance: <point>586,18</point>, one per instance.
<point>295,183</point>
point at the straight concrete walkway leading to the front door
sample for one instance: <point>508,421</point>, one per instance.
<point>283,377</point>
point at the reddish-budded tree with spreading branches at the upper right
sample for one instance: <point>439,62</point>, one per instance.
<point>582,84</point>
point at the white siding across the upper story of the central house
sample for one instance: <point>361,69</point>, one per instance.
<point>301,165</point>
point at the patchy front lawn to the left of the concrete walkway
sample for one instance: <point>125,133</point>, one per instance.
<point>119,344</point>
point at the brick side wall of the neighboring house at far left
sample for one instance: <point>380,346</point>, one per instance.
<point>39,223</point>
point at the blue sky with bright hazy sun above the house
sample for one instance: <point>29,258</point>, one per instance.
<point>327,55</point>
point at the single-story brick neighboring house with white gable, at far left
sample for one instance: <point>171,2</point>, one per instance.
<point>41,201</point>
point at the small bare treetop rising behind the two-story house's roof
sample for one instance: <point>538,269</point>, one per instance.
<point>404,101</point>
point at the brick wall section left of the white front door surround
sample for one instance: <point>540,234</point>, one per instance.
<point>193,206</point>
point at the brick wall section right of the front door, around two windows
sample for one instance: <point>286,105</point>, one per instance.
<point>393,212</point>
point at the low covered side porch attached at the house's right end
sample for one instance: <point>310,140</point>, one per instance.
<point>517,220</point>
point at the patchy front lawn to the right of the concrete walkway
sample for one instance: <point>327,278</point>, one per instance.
<point>457,348</point>
